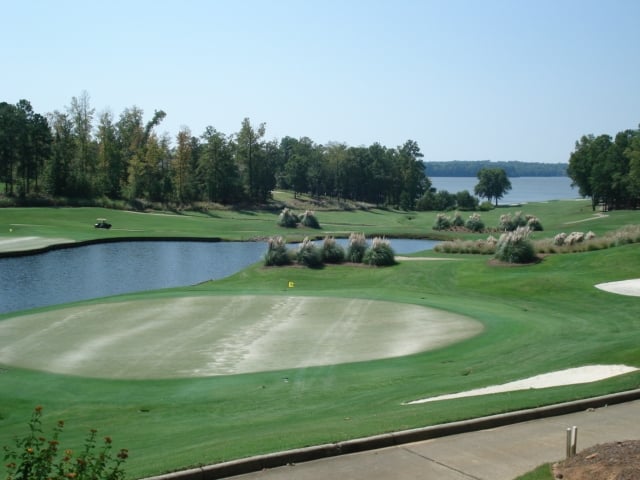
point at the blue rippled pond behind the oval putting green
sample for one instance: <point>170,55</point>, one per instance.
<point>100,270</point>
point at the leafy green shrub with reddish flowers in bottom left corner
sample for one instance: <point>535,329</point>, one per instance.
<point>38,458</point>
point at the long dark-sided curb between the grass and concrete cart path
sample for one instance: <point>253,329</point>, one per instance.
<point>279,459</point>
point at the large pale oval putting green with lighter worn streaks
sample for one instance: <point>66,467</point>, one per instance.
<point>222,335</point>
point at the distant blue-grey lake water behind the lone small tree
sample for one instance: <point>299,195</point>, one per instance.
<point>524,189</point>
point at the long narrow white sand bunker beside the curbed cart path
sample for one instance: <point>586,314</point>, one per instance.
<point>571,376</point>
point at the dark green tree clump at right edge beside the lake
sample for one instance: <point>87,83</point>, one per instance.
<point>607,170</point>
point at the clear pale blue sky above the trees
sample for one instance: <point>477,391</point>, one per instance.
<point>468,80</point>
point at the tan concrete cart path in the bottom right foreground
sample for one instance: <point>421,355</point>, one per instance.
<point>500,453</point>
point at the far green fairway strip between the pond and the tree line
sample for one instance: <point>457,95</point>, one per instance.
<point>77,223</point>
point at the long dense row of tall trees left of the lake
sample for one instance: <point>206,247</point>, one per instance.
<point>78,154</point>
